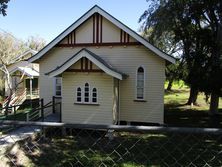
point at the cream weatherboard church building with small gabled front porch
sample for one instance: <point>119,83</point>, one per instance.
<point>104,72</point>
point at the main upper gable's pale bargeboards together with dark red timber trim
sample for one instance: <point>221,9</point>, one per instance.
<point>98,15</point>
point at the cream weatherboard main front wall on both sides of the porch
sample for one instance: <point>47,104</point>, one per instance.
<point>127,60</point>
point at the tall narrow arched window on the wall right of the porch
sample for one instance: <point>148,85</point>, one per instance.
<point>140,83</point>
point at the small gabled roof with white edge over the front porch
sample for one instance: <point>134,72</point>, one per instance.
<point>102,64</point>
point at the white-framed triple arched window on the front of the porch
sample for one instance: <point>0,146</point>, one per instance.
<point>86,95</point>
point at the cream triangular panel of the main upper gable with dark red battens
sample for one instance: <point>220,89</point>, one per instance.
<point>97,29</point>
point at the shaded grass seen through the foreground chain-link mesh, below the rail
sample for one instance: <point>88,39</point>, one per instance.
<point>93,148</point>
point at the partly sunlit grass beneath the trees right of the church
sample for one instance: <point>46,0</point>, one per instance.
<point>178,114</point>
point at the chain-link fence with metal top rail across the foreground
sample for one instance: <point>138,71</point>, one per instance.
<point>58,144</point>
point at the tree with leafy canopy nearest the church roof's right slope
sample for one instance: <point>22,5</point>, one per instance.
<point>175,24</point>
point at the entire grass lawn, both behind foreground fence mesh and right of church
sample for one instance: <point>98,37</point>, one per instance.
<point>93,148</point>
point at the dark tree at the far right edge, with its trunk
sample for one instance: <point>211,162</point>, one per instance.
<point>211,11</point>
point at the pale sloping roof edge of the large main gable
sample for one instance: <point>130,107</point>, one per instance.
<point>93,10</point>
